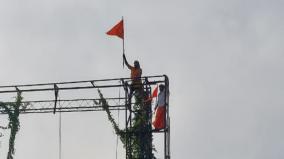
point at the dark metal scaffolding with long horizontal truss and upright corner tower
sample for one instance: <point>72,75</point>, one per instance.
<point>51,97</point>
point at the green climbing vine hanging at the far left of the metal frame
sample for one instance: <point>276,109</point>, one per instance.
<point>13,111</point>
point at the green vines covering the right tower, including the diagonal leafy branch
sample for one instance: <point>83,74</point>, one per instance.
<point>138,135</point>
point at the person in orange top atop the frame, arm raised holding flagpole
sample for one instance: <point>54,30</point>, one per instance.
<point>136,73</point>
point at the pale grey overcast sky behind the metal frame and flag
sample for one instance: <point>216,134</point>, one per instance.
<point>224,58</point>
